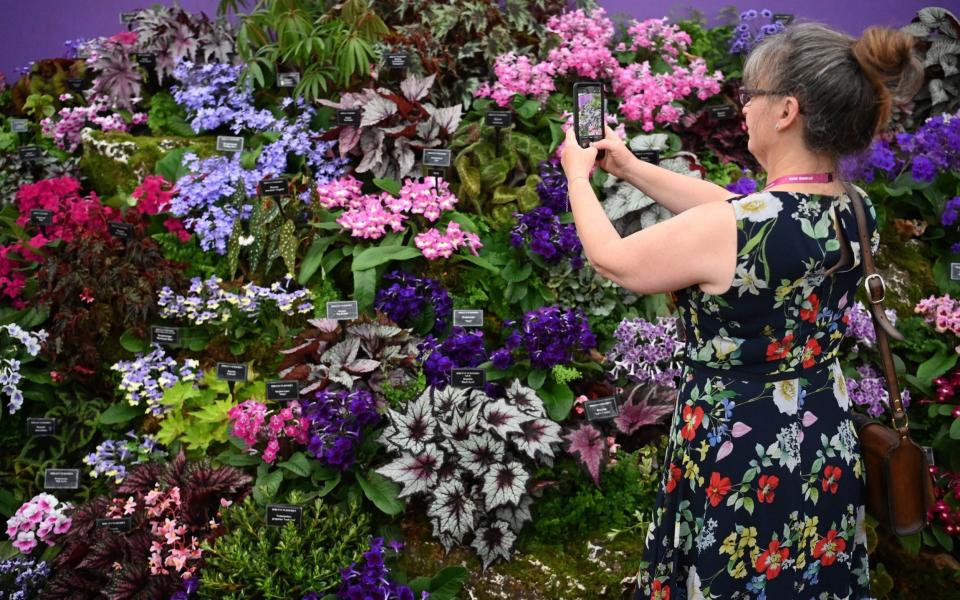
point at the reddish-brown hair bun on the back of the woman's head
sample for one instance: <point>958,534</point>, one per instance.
<point>886,57</point>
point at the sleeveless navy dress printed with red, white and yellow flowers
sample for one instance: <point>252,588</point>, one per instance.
<point>762,495</point>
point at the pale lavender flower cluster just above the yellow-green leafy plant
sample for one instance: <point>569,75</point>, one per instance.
<point>147,376</point>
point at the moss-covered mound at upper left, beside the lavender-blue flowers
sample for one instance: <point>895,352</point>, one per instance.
<point>115,161</point>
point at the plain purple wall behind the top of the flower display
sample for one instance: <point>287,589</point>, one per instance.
<point>38,28</point>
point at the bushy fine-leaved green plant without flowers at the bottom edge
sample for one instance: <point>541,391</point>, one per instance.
<point>253,560</point>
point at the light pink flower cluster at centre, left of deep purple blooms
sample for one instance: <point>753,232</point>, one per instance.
<point>368,215</point>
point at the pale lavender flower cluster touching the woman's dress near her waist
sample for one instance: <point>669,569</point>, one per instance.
<point>647,352</point>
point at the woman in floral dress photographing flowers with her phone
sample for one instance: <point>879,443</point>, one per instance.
<point>762,491</point>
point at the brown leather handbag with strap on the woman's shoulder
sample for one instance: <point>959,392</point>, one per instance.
<point>899,488</point>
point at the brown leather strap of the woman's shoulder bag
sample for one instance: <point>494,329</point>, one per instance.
<point>876,290</point>
